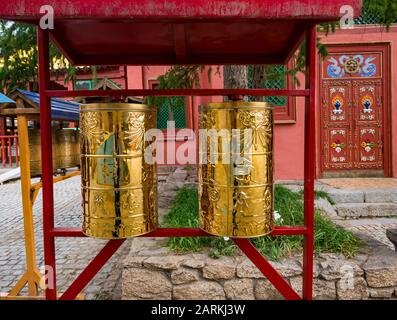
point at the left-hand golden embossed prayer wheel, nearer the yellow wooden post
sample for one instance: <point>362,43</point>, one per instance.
<point>119,188</point>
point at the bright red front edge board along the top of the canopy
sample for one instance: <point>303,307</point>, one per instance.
<point>328,10</point>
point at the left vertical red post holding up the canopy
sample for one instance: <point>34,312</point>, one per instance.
<point>46,162</point>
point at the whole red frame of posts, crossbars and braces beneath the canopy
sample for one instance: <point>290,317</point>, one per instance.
<point>50,232</point>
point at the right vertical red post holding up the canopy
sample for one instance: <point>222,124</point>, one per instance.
<point>307,284</point>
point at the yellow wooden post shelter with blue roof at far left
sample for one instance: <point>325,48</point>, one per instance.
<point>26,108</point>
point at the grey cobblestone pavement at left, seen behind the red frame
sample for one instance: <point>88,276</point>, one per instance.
<point>73,254</point>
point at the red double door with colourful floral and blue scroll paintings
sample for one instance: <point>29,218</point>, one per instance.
<point>354,112</point>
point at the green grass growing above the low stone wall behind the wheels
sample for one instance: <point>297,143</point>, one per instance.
<point>328,236</point>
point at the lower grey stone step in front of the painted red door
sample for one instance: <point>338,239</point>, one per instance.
<point>357,210</point>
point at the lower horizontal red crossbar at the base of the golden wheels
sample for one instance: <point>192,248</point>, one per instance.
<point>180,232</point>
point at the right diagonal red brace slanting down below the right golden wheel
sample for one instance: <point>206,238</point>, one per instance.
<point>267,269</point>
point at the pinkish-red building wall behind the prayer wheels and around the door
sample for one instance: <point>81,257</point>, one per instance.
<point>289,138</point>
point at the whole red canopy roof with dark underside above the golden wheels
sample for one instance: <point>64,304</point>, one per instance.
<point>104,32</point>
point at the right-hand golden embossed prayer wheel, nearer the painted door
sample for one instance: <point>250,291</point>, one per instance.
<point>236,169</point>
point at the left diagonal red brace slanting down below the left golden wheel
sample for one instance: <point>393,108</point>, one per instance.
<point>92,269</point>
